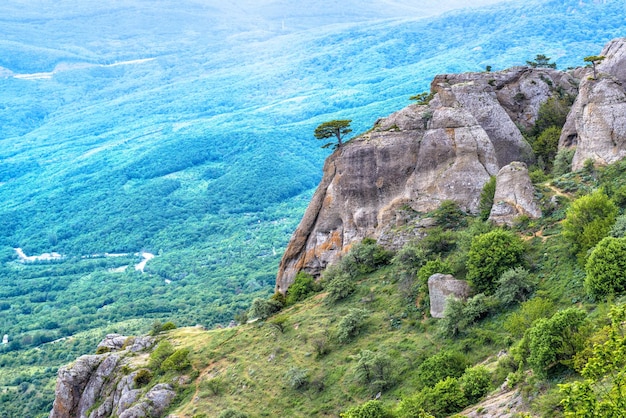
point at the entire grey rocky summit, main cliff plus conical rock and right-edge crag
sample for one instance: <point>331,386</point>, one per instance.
<point>449,147</point>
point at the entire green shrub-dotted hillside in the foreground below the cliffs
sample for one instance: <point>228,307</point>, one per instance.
<point>324,355</point>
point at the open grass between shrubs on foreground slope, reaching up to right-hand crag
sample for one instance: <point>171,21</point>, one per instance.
<point>245,368</point>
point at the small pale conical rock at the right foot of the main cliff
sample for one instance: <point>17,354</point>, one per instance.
<point>514,196</point>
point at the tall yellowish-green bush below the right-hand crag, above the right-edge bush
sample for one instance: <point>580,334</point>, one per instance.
<point>588,220</point>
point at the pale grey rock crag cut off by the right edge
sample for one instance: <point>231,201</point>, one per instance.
<point>596,125</point>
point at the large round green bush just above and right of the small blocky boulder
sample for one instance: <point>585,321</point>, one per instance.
<point>490,255</point>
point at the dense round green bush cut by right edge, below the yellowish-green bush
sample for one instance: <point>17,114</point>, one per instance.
<point>606,268</point>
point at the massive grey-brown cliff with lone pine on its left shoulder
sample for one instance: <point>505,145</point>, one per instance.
<point>418,157</point>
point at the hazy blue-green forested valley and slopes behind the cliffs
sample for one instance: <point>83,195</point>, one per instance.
<point>196,146</point>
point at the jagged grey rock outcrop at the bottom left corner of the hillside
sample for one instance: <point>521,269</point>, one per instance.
<point>99,380</point>
